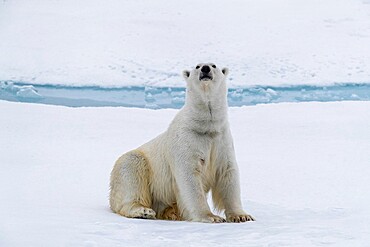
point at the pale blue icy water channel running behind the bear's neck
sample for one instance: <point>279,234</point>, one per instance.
<point>171,97</point>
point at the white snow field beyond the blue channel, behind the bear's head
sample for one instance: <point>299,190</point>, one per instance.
<point>117,43</point>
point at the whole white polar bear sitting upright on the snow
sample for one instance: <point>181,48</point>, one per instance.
<point>169,177</point>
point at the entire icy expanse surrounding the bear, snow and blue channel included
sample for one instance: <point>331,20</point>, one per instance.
<point>305,167</point>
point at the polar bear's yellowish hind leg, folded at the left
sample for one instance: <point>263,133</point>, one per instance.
<point>130,194</point>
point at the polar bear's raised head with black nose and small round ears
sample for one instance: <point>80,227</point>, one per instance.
<point>206,78</point>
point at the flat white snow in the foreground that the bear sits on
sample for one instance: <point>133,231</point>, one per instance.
<point>304,176</point>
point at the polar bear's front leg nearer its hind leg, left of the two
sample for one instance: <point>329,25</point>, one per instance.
<point>192,197</point>
